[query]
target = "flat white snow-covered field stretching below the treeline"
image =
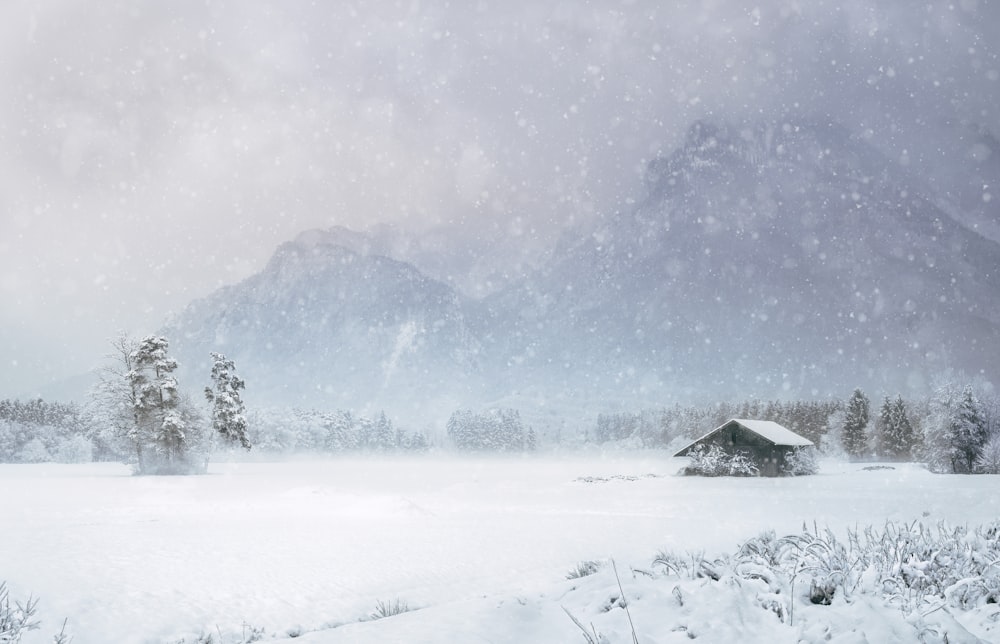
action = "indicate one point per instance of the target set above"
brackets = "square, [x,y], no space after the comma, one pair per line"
[477,548]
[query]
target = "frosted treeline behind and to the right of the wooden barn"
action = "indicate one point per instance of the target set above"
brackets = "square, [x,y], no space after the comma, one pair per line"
[954,430]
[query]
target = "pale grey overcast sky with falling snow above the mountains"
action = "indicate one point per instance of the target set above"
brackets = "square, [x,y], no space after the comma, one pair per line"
[153,151]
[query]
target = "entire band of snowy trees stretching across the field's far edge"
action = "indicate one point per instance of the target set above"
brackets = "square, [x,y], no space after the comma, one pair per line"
[956,429]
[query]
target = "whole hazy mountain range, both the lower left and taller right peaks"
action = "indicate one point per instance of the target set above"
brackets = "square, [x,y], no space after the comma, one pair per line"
[784,259]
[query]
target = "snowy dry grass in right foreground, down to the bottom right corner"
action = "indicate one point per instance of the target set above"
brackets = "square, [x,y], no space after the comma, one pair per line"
[934,576]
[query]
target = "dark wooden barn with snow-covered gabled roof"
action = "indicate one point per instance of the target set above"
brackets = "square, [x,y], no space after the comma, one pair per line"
[765,442]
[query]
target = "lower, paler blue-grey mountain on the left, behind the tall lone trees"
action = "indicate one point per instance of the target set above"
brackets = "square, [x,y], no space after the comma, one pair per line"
[328,323]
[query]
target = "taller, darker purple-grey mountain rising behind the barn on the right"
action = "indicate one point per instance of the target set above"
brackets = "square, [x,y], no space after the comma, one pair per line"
[790,259]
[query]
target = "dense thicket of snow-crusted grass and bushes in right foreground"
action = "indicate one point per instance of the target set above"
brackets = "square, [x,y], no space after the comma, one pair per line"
[910,566]
